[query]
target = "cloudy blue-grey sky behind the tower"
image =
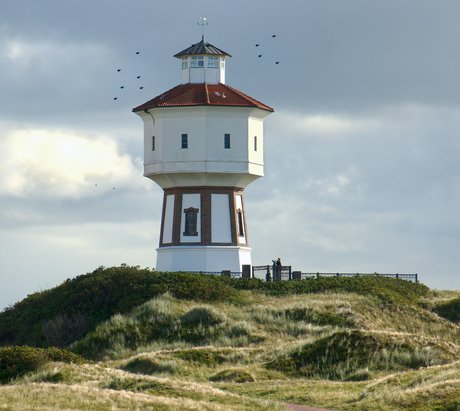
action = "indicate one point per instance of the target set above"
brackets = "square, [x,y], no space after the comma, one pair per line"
[362,152]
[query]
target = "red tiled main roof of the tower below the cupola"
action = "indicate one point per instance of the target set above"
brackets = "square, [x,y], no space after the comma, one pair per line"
[202,94]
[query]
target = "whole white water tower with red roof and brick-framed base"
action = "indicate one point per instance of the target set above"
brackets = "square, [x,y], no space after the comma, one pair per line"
[203,145]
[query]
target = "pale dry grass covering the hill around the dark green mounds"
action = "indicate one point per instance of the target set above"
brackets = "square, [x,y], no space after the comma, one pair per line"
[176,374]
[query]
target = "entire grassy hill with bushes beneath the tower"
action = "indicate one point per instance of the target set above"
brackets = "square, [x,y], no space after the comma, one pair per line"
[136,339]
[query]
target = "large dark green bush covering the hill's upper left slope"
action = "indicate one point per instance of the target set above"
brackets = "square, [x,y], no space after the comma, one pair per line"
[64,314]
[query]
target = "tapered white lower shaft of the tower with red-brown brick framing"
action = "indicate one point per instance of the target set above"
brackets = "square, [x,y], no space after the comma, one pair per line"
[203,229]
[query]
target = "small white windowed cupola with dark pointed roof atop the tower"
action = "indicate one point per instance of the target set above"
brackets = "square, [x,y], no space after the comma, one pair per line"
[203,63]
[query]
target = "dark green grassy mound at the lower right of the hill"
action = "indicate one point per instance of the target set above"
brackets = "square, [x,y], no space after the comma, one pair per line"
[344,355]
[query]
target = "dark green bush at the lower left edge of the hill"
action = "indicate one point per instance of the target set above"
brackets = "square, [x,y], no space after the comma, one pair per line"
[17,361]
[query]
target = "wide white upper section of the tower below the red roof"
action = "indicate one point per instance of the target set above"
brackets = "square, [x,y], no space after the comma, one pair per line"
[170,165]
